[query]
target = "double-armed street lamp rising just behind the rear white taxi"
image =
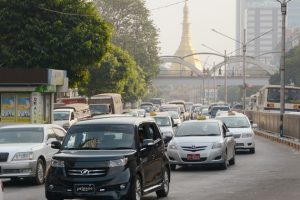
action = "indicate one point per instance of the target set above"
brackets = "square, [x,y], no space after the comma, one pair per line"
[244,47]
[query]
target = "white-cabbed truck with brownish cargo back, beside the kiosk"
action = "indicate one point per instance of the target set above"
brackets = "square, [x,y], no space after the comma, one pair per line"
[69,114]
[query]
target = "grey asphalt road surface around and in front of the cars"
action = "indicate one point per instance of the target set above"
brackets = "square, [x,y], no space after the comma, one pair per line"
[273,173]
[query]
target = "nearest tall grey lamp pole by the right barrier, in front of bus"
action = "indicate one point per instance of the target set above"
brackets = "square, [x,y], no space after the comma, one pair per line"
[283,4]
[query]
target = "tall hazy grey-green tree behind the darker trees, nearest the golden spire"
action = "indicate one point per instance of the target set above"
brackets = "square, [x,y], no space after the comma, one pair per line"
[134,31]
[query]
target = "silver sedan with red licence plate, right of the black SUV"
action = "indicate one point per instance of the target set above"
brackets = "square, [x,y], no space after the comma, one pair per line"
[199,142]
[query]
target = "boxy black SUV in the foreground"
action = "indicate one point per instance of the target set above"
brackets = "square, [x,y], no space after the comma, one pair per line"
[114,157]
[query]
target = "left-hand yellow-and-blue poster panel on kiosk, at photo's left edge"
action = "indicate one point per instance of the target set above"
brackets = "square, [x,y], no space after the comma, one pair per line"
[8,108]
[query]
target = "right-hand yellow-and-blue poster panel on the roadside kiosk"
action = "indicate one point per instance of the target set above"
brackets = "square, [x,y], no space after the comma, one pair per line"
[23,108]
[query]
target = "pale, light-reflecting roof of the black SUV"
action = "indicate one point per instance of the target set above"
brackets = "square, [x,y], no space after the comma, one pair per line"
[116,120]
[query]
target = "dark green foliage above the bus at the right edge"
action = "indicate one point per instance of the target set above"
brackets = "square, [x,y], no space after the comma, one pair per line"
[292,69]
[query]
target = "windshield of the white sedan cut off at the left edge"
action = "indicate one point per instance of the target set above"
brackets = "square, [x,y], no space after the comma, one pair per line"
[21,135]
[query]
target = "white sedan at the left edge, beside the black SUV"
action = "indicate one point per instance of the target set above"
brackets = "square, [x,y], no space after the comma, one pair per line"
[25,150]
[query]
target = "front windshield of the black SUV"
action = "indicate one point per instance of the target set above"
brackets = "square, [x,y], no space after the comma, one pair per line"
[100,137]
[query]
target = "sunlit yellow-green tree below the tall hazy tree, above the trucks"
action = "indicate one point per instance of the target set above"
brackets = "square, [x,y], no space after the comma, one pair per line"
[117,73]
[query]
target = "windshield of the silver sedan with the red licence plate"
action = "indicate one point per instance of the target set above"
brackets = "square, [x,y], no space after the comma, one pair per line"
[198,129]
